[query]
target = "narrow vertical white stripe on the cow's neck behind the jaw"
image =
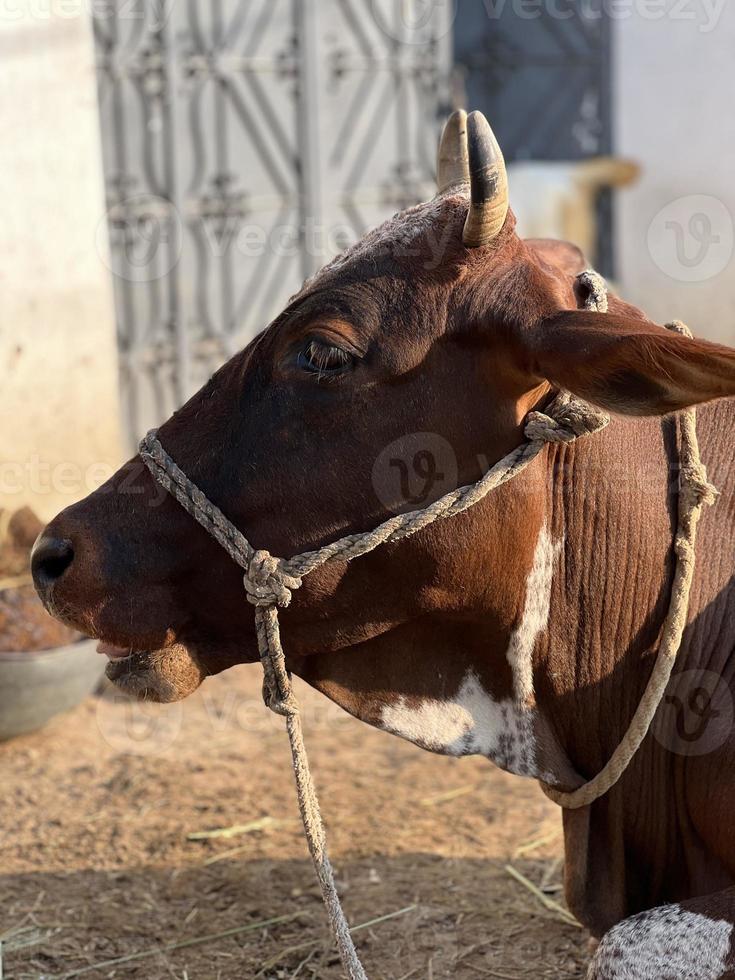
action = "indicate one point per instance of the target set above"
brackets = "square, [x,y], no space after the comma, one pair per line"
[535,617]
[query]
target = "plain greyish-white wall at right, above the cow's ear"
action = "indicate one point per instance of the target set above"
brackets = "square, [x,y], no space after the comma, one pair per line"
[674,89]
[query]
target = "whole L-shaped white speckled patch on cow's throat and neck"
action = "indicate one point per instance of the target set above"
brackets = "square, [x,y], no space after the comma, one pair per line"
[474,723]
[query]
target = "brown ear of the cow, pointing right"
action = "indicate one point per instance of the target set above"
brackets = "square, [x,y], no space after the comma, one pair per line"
[627,365]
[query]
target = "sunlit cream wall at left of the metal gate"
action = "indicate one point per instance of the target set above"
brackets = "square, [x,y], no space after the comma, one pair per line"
[59,412]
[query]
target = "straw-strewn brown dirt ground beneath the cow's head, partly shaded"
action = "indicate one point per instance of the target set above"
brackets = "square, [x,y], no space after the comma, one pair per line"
[97,863]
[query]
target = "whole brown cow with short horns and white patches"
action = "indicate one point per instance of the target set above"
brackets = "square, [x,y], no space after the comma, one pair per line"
[523,630]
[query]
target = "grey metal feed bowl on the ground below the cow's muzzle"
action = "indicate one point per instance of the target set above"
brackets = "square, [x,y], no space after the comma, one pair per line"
[36,686]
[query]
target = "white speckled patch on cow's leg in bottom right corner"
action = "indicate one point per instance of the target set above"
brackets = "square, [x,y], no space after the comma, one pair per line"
[668,941]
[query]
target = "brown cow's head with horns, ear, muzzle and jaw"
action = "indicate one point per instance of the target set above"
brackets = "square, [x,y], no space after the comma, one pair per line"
[405,367]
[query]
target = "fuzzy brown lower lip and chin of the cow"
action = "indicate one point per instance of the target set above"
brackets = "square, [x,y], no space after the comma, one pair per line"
[164,675]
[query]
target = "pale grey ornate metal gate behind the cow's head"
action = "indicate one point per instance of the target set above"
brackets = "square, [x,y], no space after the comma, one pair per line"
[245,142]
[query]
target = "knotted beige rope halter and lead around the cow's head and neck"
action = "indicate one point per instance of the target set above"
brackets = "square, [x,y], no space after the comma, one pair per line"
[269,583]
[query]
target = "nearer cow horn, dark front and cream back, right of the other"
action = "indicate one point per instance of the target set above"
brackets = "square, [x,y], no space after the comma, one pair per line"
[488,183]
